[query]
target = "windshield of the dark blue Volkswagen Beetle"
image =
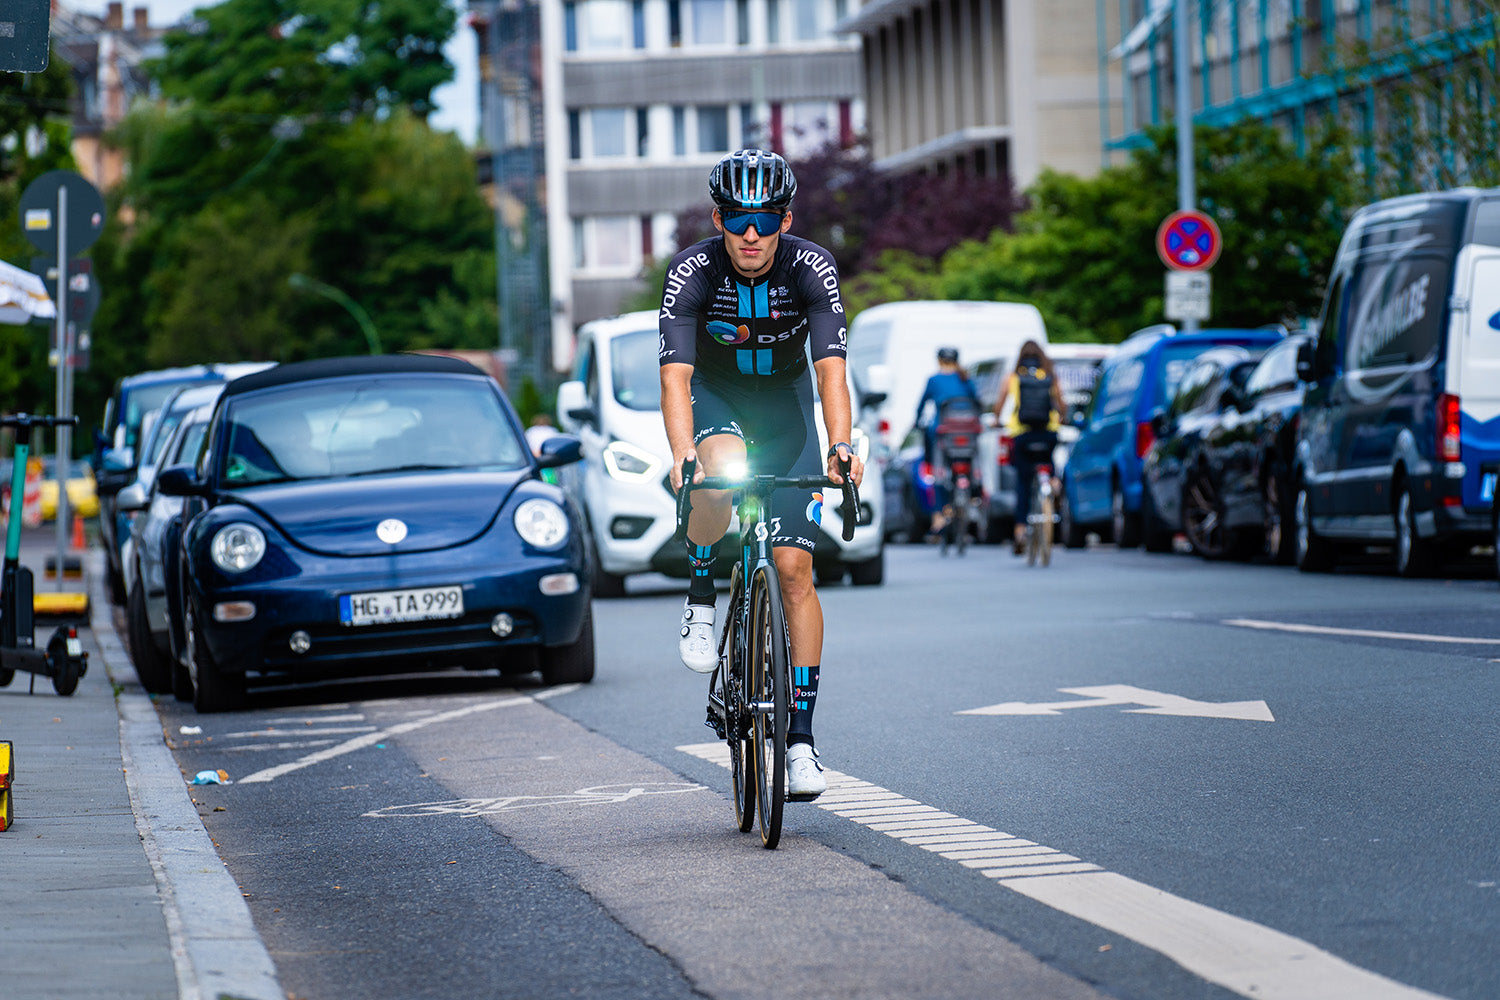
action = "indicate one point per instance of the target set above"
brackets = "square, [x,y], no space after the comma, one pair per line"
[368,427]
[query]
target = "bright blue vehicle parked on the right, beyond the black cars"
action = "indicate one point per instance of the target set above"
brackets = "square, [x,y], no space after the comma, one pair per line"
[1102,484]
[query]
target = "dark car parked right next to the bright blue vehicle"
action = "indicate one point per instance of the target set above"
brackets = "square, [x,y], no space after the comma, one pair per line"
[1183,482]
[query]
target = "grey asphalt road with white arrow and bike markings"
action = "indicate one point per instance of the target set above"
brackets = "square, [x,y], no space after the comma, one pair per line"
[1126,776]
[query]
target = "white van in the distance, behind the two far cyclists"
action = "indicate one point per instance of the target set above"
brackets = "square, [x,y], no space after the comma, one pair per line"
[893,350]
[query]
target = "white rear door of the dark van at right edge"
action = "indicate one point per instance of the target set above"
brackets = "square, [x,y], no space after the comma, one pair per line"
[1474,368]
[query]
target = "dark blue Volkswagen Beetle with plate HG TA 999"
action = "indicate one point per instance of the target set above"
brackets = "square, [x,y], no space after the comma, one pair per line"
[362,515]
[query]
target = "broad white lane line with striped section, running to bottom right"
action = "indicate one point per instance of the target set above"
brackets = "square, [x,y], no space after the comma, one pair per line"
[1229,951]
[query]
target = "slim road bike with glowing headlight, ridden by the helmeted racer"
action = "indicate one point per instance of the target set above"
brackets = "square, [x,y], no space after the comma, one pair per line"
[751,690]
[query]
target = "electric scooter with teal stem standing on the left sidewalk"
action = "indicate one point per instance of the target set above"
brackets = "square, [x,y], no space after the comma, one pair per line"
[64,659]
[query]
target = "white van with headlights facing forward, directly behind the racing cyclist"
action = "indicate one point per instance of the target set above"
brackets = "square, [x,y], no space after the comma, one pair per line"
[614,406]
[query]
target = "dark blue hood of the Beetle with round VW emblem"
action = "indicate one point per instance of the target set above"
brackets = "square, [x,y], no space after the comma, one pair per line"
[341,516]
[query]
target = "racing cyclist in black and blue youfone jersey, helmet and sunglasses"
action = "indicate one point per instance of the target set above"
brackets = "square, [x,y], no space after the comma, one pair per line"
[739,316]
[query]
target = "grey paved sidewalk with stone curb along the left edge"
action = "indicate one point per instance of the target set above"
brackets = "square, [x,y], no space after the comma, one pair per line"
[110,885]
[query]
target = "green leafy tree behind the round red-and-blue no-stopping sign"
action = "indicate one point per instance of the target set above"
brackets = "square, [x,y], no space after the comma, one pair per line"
[1084,253]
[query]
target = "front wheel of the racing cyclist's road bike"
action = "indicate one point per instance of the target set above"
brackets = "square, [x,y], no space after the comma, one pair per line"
[770,696]
